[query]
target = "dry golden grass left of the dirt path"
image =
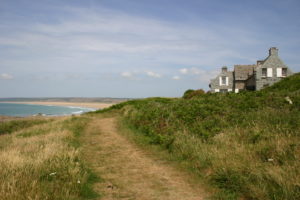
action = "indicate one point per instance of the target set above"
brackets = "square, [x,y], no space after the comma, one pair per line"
[41,162]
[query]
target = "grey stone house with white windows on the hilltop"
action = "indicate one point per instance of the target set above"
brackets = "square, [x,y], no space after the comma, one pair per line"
[251,77]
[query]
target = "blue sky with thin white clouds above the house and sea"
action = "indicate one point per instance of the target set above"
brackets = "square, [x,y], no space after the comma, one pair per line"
[137,48]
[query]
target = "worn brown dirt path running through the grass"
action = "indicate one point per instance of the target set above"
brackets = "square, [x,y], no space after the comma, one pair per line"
[128,172]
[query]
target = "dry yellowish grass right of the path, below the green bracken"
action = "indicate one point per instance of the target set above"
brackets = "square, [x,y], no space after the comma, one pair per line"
[259,171]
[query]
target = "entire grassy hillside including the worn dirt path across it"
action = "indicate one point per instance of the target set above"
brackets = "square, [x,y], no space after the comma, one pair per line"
[227,146]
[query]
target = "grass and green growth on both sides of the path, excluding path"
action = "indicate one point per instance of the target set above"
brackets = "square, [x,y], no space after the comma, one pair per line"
[245,146]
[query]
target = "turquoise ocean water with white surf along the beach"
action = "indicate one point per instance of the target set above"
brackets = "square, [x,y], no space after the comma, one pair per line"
[22,110]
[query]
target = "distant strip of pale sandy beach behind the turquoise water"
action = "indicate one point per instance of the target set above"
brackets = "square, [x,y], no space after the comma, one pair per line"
[75,104]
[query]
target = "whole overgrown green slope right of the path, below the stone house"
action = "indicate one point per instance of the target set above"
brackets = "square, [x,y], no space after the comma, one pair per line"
[245,144]
